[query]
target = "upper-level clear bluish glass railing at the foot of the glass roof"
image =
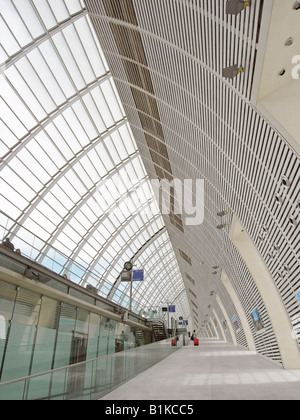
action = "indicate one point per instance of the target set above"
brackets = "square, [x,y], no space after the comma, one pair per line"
[39,251]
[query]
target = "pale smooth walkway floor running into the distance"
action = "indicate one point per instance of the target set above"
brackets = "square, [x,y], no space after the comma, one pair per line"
[214,371]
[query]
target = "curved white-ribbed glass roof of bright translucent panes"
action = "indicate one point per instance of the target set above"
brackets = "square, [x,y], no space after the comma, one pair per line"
[70,170]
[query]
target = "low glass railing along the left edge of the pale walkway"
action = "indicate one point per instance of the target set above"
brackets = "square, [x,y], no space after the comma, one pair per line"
[89,380]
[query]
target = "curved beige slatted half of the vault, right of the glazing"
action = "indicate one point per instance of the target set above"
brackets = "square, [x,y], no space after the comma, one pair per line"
[190,122]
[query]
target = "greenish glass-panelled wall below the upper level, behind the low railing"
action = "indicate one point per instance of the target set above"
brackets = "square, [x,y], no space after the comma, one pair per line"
[38,334]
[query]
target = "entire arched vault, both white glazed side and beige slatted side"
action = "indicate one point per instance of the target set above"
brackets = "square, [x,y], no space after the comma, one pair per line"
[100,97]
